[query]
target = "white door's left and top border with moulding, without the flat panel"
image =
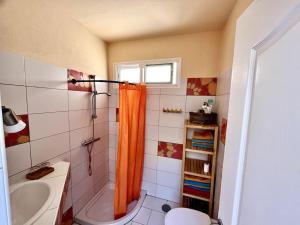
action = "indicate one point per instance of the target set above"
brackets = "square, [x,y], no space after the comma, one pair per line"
[250,41]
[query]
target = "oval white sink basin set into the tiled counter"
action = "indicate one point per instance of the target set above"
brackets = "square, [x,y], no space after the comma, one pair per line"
[29,200]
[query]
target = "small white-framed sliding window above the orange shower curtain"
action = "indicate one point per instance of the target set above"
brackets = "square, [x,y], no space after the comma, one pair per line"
[155,73]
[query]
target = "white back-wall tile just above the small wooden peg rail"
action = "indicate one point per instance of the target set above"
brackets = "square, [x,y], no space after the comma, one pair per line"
[172,102]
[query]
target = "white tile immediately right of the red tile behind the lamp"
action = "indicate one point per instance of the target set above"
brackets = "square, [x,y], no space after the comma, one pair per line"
[47,124]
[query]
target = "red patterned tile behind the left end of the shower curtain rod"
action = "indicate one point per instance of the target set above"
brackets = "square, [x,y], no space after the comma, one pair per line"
[86,86]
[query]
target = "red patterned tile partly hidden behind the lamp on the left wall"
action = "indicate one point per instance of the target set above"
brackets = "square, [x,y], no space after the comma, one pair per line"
[20,137]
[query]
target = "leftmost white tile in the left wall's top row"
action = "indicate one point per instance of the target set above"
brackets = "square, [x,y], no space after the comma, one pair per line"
[12,69]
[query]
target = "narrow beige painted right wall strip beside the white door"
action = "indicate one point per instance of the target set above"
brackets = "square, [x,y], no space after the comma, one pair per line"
[228,36]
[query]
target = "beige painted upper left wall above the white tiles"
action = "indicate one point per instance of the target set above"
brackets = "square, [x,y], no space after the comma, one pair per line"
[38,29]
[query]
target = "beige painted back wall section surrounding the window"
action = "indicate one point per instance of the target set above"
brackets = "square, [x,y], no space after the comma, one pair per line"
[199,52]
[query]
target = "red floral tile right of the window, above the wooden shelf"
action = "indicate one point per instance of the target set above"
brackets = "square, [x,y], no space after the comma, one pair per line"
[202,86]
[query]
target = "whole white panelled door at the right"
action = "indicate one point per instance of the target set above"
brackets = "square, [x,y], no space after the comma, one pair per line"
[261,176]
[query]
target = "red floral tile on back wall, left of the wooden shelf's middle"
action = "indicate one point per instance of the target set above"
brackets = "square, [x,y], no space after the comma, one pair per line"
[170,150]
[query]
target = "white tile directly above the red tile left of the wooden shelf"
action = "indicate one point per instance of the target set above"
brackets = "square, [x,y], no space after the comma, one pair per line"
[171,134]
